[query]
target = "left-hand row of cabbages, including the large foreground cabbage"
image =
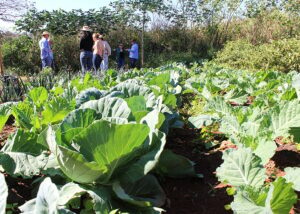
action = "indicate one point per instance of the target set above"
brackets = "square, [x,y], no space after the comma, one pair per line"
[103,150]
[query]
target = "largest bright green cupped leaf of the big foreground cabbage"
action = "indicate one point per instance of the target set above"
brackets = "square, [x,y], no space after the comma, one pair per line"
[100,154]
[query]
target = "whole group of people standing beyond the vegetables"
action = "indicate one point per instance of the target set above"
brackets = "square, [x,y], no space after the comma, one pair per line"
[94,52]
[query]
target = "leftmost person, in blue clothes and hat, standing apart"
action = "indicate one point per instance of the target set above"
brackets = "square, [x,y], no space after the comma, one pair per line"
[45,50]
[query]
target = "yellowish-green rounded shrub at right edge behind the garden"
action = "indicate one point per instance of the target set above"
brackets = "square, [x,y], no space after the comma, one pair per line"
[281,55]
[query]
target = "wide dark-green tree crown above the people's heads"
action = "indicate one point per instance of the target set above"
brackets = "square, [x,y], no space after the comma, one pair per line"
[61,22]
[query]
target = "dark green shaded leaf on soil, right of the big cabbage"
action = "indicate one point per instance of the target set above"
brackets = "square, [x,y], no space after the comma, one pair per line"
[175,166]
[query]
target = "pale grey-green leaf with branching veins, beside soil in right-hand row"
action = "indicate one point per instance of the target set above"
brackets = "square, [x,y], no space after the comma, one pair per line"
[241,168]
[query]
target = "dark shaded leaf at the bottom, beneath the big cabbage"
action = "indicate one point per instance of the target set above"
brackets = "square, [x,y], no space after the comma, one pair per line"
[144,192]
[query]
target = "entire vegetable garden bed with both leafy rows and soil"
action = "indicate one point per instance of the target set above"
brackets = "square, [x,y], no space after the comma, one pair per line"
[174,139]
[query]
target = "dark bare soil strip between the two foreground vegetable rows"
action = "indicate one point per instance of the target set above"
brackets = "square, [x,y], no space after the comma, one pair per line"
[194,195]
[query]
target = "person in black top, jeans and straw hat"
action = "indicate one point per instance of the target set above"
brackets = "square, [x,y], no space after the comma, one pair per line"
[86,49]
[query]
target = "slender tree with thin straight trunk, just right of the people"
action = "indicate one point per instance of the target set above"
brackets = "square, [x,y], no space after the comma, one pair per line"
[139,11]
